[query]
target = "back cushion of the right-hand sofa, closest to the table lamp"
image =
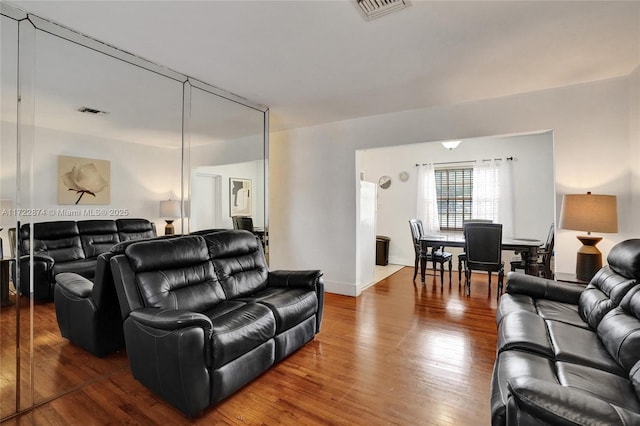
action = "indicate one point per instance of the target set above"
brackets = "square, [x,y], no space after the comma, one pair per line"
[604,292]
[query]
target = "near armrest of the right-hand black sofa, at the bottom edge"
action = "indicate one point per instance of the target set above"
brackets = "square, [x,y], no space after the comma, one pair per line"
[551,403]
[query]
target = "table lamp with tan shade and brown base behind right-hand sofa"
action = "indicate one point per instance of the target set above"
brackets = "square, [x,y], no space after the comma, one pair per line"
[591,213]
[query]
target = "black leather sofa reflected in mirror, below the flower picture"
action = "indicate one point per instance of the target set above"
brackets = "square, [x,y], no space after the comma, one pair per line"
[71,246]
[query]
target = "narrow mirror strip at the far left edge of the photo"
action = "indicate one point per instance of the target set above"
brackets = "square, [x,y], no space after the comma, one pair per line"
[8,173]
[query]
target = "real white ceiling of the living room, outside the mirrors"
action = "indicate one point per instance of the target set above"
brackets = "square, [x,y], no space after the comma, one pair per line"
[314,62]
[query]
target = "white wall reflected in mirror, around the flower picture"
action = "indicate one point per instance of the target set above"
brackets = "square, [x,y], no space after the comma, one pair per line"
[141,176]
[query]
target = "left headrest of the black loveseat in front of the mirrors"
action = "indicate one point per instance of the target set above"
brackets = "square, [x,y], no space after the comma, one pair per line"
[168,253]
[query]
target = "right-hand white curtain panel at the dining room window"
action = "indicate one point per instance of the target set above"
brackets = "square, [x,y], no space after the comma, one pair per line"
[492,194]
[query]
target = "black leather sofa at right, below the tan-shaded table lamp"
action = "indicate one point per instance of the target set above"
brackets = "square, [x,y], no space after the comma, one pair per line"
[569,354]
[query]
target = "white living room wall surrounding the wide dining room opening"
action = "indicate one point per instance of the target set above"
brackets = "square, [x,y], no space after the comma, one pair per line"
[313,170]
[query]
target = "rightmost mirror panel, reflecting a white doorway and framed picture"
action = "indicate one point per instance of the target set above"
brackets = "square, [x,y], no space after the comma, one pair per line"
[227,161]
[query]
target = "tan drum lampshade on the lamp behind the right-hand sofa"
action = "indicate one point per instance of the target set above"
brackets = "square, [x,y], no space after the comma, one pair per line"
[589,212]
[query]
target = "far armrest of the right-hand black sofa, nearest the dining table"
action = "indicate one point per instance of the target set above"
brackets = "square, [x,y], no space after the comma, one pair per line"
[542,288]
